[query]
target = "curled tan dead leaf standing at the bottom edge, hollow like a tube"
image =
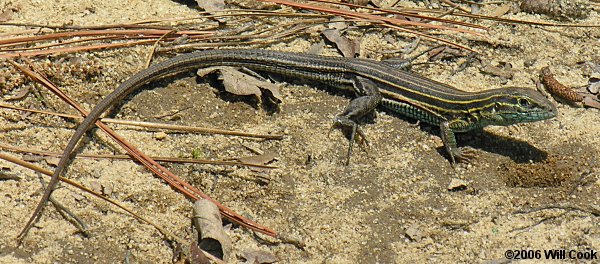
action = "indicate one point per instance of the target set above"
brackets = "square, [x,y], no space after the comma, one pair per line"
[211,234]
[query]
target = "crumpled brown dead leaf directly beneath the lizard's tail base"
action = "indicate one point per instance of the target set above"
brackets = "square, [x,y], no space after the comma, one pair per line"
[240,83]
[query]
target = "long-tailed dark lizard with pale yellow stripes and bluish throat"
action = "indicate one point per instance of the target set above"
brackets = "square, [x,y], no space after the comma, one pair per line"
[375,83]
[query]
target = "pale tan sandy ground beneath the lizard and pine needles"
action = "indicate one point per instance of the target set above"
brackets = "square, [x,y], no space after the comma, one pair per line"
[391,205]
